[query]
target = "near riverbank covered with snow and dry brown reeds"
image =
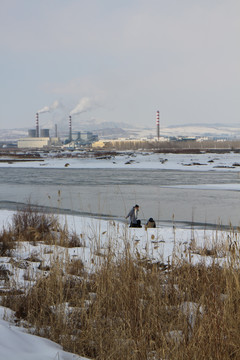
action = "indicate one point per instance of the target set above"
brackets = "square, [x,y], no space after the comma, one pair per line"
[95,286]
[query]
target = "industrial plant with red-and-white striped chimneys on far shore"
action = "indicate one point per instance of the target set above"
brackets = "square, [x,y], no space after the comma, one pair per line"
[133,139]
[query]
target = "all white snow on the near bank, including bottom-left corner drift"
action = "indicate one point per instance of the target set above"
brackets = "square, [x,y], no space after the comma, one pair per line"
[162,244]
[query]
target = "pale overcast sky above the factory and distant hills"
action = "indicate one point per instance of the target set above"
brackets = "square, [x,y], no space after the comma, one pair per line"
[120,60]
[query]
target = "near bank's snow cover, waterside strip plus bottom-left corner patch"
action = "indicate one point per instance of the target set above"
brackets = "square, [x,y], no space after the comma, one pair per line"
[29,260]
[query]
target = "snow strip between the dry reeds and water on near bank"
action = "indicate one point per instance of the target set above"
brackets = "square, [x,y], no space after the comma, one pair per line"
[159,245]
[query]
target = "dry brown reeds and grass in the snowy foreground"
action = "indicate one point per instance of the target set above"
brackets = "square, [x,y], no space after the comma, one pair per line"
[127,309]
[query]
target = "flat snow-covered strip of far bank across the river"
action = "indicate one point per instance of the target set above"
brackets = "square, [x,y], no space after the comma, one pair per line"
[138,160]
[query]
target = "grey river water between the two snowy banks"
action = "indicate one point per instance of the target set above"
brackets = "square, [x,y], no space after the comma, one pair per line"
[166,195]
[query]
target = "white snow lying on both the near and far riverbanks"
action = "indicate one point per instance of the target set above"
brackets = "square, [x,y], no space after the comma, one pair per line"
[163,244]
